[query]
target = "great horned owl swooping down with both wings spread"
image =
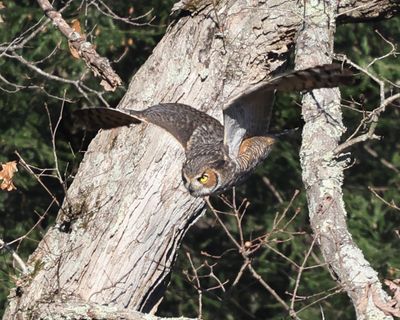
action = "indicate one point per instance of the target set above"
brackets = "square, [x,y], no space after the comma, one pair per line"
[220,156]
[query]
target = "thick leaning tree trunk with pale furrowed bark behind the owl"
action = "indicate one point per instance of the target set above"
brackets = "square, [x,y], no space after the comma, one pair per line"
[126,212]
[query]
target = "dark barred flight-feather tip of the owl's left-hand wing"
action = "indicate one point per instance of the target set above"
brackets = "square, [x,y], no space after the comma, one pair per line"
[93,119]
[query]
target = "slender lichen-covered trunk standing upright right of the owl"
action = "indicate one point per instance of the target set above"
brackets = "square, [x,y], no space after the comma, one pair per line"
[323,172]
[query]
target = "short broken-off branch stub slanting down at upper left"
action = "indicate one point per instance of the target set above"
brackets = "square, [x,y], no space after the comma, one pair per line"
[100,66]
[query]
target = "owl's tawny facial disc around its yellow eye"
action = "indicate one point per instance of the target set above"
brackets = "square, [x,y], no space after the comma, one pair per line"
[203,184]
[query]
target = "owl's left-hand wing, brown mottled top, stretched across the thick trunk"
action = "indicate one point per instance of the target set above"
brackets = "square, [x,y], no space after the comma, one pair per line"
[180,120]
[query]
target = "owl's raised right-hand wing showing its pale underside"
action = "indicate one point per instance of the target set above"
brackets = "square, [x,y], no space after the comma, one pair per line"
[248,114]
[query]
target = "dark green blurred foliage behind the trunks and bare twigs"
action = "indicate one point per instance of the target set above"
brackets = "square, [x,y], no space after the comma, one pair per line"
[24,127]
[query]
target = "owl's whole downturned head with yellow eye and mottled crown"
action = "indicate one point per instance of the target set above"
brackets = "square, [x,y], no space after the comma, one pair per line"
[203,180]
